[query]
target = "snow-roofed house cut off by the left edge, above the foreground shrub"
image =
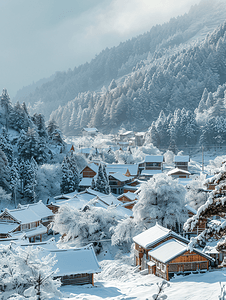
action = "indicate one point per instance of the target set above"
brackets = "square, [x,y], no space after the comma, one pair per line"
[22,220]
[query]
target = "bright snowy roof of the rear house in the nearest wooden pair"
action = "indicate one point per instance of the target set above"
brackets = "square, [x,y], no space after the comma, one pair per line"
[155,234]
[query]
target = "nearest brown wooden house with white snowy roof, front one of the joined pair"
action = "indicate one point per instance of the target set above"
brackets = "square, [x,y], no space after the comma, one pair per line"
[173,257]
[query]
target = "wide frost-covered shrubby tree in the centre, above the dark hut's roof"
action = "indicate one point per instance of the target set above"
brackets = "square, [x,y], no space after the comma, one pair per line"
[80,227]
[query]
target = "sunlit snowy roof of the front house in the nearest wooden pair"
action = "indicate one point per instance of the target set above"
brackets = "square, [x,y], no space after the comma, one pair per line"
[170,249]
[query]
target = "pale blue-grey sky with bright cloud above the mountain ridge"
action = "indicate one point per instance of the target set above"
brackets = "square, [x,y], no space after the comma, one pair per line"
[40,37]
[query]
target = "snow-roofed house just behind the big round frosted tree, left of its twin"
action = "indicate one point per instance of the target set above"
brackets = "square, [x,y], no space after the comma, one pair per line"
[151,162]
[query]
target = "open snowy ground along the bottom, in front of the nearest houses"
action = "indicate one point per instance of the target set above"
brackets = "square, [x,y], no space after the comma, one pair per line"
[119,281]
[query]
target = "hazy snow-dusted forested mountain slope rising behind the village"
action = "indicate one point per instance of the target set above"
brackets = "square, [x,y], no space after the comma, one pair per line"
[127,86]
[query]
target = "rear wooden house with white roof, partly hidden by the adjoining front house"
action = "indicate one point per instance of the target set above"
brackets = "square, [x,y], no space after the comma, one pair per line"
[151,238]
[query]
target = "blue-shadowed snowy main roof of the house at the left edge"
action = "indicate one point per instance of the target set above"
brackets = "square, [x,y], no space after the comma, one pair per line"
[23,215]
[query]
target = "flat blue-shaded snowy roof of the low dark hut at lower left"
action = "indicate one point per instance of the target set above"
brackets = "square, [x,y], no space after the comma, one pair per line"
[76,261]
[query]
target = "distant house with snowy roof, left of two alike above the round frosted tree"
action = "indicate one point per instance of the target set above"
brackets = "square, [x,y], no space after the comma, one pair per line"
[152,164]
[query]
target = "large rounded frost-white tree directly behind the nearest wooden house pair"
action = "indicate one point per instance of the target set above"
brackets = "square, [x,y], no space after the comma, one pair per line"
[161,199]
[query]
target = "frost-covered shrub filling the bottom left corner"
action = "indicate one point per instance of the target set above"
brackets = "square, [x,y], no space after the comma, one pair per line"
[26,272]
